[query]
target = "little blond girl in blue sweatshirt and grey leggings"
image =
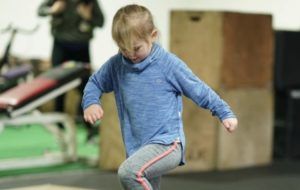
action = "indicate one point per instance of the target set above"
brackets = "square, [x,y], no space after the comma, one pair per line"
[148,83]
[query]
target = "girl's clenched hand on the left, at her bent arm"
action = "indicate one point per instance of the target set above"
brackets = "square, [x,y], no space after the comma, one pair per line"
[93,113]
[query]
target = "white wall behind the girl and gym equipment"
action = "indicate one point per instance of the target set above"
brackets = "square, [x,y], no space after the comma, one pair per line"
[23,13]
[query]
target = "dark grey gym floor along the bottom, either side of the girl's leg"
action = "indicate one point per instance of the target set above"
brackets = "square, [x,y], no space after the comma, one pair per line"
[284,175]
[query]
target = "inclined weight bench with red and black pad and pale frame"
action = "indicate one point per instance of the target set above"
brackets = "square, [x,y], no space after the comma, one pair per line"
[18,107]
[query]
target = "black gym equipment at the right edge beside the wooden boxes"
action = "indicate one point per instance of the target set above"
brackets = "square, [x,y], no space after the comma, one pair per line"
[287,95]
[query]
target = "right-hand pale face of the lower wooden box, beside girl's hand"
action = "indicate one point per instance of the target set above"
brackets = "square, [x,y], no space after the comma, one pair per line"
[251,144]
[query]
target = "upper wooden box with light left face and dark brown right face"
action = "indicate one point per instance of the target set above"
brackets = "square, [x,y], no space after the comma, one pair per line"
[228,50]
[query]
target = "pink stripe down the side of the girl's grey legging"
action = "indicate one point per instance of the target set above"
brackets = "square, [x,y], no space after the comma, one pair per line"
[140,172]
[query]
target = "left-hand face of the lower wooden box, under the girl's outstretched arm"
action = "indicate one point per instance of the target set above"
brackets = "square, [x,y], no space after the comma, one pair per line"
[200,130]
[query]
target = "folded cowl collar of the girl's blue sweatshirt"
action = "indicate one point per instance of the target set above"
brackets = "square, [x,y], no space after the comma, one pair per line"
[138,67]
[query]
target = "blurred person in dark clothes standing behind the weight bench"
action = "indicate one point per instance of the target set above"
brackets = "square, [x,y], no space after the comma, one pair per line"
[72,25]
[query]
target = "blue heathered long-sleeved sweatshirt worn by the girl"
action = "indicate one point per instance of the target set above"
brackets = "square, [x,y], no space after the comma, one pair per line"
[149,97]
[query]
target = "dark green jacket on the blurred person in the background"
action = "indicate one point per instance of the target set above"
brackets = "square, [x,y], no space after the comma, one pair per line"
[69,25]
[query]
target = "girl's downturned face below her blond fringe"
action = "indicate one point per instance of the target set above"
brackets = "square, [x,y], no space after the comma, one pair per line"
[141,49]
